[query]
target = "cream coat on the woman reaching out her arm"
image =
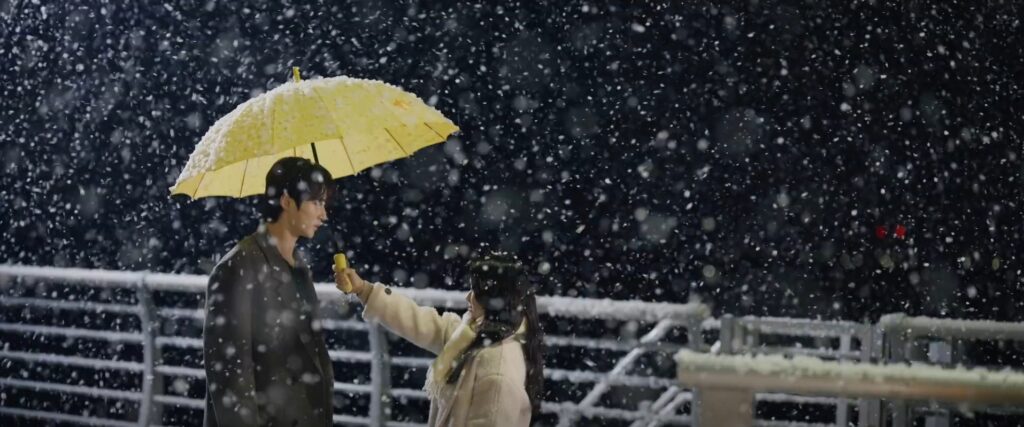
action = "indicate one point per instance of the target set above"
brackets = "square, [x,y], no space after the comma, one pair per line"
[492,390]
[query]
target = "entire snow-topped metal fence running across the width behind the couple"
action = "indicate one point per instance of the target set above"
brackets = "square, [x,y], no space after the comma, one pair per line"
[613,377]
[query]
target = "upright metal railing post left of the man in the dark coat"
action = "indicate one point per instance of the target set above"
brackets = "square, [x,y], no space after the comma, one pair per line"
[149,413]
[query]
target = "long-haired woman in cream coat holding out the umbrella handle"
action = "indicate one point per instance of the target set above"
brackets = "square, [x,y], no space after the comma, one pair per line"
[490,366]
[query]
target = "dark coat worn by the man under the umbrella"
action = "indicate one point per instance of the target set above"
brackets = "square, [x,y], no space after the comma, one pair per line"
[267,363]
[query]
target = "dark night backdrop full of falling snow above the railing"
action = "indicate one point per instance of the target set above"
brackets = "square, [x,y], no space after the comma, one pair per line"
[743,153]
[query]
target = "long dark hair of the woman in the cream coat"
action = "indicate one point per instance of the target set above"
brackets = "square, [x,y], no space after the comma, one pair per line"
[501,285]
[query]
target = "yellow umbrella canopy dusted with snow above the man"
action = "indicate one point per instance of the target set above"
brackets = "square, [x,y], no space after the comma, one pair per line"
[345,124]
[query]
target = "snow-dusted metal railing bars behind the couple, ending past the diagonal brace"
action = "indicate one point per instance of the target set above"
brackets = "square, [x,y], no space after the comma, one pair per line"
[152,399]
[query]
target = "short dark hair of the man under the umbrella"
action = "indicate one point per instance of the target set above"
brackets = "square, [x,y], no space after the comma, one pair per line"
[300,179]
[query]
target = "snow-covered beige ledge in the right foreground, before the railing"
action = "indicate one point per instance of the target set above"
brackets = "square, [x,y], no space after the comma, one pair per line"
[726,385]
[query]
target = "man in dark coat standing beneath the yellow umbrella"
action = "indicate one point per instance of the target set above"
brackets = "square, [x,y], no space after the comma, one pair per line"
[267,362]
